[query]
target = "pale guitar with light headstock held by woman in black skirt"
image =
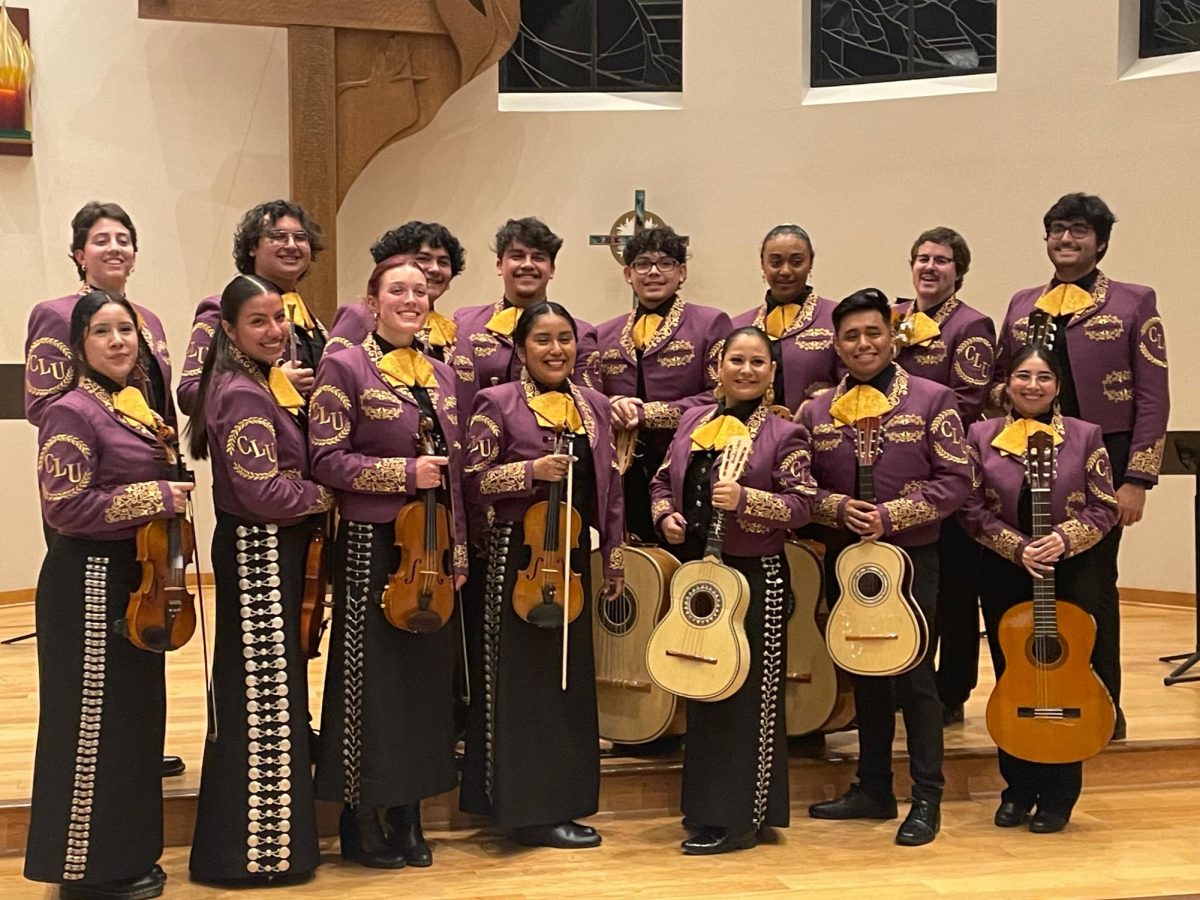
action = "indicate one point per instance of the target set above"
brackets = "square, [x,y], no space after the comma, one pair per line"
[700,650]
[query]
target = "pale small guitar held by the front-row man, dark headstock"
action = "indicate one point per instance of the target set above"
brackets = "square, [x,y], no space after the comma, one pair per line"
[875,628]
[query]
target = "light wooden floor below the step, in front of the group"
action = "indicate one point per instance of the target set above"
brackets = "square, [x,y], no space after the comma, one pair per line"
[1120,844]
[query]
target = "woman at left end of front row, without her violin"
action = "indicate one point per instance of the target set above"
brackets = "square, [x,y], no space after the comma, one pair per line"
[97,811]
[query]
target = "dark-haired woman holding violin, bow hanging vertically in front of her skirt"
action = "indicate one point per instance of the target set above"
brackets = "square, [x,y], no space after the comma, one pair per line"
[541,455]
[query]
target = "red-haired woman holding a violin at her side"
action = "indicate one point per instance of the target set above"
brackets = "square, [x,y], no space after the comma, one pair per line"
[385,437]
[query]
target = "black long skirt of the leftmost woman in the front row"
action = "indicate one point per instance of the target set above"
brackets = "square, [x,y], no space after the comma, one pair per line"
[97,812]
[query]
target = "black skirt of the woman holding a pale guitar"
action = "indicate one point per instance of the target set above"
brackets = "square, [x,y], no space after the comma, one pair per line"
[735,760]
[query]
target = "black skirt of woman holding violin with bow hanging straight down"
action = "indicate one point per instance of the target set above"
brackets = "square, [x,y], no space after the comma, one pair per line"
[533,751]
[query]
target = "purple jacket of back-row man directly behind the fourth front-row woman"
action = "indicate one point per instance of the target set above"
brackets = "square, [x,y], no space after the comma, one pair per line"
[481,356]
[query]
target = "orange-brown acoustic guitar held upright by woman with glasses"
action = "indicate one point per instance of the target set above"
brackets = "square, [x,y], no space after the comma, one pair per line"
[1049,706]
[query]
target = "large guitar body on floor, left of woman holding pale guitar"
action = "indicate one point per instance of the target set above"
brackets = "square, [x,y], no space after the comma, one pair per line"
[633,710]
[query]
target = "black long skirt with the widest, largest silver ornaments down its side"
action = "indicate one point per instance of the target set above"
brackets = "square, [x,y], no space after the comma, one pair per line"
[256,817]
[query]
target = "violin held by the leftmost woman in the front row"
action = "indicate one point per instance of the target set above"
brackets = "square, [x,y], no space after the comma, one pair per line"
[161,615]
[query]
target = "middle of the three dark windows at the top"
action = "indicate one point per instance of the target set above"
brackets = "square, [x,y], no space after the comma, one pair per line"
[862,41]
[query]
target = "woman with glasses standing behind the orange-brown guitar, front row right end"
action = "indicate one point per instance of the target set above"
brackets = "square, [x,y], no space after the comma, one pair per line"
[999,514]
